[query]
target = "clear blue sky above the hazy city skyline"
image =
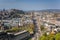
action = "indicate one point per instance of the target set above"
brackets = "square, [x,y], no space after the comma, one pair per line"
[30,4]
